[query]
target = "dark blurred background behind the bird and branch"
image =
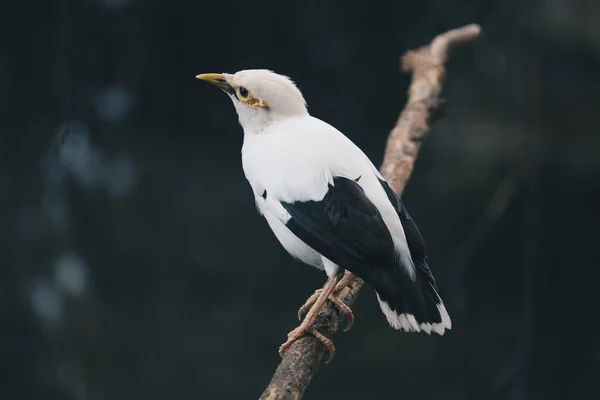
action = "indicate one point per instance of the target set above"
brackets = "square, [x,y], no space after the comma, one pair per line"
[133,264]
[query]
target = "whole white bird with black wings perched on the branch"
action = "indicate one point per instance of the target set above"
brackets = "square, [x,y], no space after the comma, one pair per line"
[329,206]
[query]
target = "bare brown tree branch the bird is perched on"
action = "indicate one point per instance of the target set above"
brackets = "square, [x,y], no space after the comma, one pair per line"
[300,363]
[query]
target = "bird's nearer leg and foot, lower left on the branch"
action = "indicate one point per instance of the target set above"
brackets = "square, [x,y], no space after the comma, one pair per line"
[307,325]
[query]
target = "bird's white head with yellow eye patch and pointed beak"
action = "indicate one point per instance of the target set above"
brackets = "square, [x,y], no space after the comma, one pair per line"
[260,96]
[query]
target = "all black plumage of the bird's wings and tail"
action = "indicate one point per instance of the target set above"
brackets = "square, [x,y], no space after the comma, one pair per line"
[347,228]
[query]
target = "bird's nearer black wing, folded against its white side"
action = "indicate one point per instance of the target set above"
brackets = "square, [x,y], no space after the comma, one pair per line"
[346,228]
